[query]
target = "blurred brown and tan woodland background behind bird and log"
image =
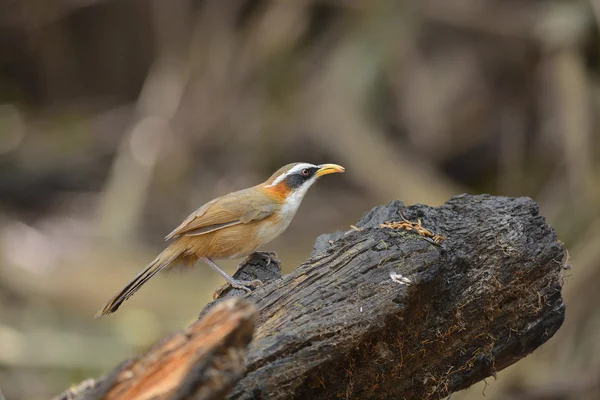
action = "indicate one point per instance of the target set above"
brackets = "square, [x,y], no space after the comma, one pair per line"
[120,117]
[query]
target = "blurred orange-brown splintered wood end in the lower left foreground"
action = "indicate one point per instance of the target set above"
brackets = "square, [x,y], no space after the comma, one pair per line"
[202,362]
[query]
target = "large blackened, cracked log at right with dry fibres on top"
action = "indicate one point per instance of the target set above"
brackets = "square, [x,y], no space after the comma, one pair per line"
[378,312]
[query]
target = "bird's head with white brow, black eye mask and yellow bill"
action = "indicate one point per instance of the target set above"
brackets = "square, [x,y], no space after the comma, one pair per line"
[291,182]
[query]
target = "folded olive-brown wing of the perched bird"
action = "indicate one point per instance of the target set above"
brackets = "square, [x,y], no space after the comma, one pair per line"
[232,209]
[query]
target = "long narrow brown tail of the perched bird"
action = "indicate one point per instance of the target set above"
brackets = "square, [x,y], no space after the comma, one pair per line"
[163,260]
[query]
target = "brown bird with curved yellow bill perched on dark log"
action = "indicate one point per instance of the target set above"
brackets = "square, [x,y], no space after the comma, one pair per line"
[231,226]
